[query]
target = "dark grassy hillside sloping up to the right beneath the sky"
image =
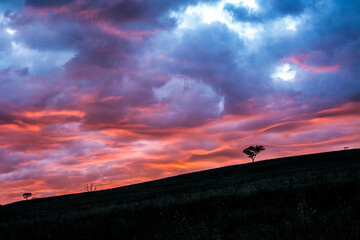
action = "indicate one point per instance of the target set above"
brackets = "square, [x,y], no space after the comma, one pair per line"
[313,196]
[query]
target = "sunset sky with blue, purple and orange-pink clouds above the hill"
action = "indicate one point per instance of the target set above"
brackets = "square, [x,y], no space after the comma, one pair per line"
[116,92]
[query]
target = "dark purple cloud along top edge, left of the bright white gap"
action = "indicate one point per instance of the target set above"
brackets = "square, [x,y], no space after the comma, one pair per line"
[152,13]
